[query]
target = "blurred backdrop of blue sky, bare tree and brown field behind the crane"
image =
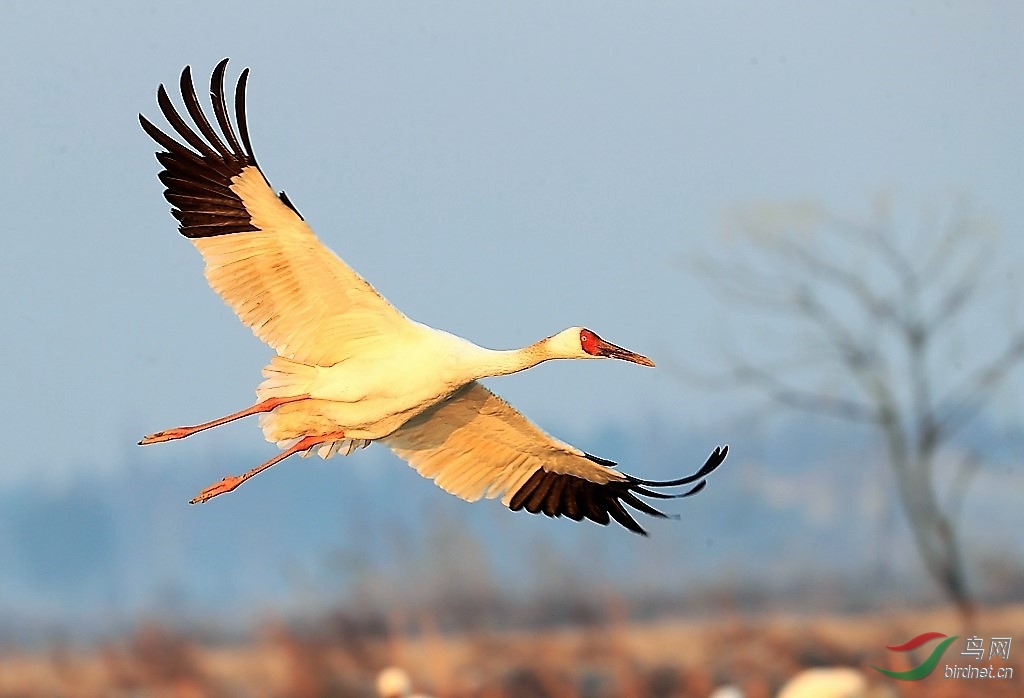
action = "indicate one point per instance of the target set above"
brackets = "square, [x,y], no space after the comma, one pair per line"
[809,215]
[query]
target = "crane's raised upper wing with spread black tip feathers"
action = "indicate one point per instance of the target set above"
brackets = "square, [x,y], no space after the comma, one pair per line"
[262,257]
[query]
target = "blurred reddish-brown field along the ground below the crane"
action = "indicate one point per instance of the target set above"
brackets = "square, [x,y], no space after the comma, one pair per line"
[605,660]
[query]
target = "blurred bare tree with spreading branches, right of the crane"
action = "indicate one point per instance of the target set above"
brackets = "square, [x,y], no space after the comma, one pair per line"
[874,323]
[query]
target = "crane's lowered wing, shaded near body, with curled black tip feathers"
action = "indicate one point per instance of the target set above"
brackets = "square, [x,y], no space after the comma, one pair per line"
[477,446]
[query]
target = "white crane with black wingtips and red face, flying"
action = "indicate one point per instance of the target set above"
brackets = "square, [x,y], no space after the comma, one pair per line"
[350,368]
